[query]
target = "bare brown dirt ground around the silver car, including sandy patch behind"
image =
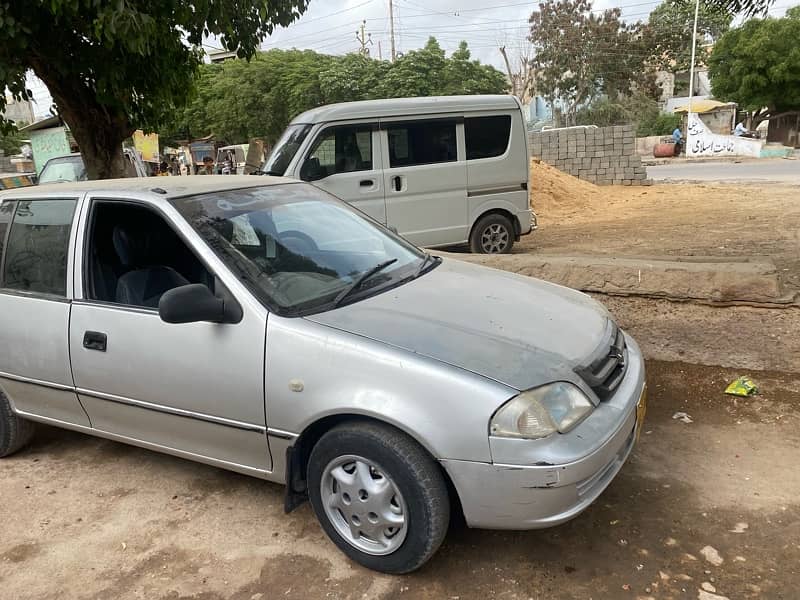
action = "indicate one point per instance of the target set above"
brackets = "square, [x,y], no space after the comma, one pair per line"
[710,504]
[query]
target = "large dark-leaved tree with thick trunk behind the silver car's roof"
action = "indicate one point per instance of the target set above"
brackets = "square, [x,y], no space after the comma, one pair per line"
[113,65]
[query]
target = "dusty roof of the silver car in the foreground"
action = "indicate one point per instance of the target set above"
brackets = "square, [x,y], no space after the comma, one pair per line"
[156,187]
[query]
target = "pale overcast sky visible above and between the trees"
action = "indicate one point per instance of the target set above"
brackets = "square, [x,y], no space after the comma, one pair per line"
[330,26]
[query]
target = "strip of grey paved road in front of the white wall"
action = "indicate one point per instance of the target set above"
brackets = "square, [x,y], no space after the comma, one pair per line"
[779,170]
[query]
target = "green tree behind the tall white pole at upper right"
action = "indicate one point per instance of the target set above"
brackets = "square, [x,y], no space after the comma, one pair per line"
[668,31]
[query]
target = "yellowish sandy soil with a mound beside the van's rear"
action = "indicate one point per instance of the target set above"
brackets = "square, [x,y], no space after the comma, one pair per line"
[577,217]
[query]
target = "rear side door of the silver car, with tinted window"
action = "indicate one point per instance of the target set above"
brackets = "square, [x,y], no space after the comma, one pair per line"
[35,240]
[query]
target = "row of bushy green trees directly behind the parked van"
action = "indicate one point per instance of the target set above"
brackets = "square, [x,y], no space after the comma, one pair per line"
[239,100]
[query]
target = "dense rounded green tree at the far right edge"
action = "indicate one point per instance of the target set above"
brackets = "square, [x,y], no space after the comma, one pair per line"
[757,65]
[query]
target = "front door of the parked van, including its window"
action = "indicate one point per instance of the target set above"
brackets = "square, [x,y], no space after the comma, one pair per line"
[345,160]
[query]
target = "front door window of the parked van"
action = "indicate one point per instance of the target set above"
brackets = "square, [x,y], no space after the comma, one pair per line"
[343,149]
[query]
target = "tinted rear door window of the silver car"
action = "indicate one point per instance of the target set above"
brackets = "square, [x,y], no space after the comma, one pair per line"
[36,254]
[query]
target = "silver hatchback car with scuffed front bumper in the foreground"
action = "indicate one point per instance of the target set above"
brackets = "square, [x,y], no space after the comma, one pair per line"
[263,326]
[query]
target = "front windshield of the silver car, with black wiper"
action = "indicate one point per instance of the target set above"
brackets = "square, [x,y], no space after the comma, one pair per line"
[299,249]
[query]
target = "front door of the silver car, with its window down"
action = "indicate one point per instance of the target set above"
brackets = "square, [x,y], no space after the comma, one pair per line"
[195,389]
